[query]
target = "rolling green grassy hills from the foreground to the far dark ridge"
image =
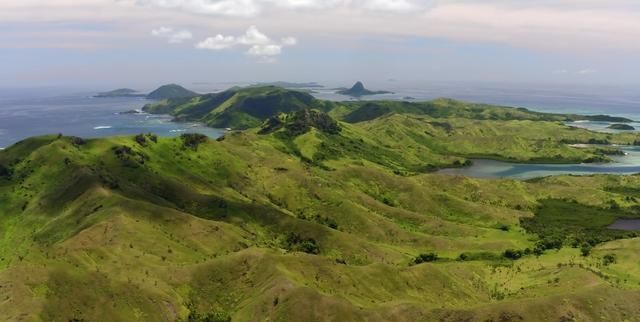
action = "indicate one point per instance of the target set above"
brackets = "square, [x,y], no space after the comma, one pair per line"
[308,218]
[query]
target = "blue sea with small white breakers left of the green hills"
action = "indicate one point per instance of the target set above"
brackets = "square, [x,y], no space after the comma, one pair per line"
[85,116]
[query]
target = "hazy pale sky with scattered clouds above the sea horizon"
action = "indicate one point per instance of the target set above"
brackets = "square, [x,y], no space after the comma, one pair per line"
[144,43]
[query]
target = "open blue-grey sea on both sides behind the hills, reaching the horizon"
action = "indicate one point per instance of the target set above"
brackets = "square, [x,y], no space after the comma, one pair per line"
[29,112]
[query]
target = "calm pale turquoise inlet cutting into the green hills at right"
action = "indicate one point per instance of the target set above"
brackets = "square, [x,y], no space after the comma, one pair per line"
[628,164]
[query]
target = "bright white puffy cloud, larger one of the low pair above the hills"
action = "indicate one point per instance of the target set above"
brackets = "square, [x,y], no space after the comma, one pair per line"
[260,45]
